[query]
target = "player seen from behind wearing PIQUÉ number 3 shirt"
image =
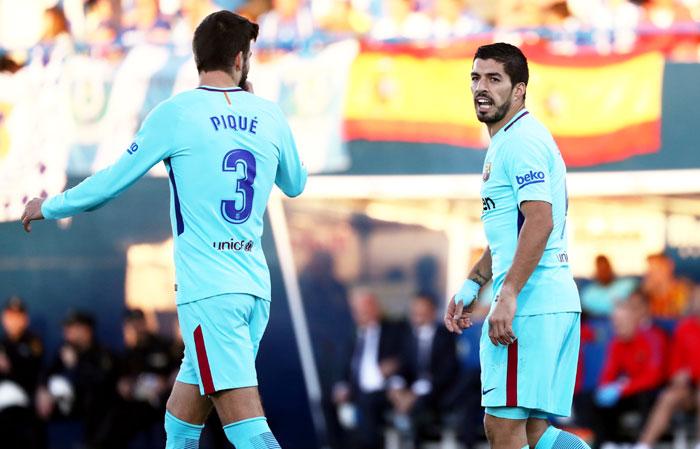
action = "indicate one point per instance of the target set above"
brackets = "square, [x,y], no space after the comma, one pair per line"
[223,148]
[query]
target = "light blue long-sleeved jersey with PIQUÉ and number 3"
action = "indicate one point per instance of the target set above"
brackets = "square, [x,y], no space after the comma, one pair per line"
[223,150]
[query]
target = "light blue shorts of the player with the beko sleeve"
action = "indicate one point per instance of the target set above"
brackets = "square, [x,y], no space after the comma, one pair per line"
[534,376]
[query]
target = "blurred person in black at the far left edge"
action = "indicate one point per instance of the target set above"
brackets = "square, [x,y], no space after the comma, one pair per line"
[20,350]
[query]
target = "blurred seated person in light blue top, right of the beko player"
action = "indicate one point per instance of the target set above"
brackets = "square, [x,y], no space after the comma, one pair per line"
[600,296]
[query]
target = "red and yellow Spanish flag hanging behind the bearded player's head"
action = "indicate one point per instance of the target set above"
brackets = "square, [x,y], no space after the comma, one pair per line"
[599,108]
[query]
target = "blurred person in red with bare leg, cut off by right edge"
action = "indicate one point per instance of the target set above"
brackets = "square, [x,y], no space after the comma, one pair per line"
[682,391]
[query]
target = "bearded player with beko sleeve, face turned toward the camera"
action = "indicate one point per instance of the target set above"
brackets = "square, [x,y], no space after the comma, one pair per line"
[530,341]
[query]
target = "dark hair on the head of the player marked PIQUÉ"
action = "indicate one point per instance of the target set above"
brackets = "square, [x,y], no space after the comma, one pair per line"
[219,38]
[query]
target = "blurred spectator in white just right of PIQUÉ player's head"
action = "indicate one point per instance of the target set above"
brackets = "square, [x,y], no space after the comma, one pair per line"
[289,25]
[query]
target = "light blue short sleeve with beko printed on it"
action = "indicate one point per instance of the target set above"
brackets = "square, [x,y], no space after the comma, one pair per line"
[528,167]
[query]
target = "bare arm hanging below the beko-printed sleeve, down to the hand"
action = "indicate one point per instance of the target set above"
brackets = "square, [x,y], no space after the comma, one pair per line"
[531,244]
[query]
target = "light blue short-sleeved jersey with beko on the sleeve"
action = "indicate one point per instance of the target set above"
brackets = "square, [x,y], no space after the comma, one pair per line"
[523,163]
